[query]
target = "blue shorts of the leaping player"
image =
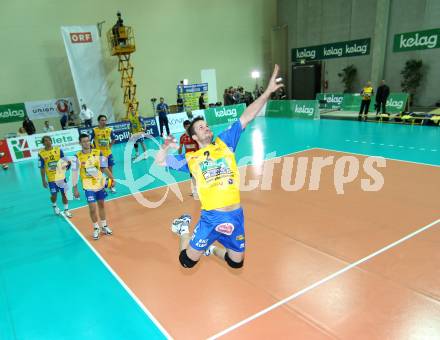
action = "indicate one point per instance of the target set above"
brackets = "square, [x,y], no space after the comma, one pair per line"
[225,227]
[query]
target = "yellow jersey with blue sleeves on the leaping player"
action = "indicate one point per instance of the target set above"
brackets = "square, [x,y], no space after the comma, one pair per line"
[214,169]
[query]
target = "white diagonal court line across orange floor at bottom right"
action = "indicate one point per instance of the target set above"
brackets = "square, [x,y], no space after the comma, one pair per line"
[322,281]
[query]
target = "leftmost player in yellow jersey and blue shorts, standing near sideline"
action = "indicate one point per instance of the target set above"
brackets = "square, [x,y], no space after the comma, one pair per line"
[53,166]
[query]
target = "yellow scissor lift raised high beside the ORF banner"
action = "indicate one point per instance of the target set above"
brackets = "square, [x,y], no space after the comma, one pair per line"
[121,44]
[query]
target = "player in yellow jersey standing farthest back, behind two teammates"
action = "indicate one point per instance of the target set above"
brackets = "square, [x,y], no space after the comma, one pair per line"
[103,139]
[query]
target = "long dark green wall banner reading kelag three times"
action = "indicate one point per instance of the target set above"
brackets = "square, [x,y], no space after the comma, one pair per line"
[342,49]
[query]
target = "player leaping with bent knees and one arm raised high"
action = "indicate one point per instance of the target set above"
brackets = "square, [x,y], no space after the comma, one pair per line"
[217,177]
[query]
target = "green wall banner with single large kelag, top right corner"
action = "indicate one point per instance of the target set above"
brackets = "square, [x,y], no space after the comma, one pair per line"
[420,40]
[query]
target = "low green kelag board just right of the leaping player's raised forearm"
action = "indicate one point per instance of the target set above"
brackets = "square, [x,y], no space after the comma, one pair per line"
[304,109]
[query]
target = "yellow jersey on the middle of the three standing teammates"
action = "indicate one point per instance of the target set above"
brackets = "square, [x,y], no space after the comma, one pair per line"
[89,165]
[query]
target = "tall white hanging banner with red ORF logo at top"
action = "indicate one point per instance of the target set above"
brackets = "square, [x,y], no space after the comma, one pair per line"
[84,51]
